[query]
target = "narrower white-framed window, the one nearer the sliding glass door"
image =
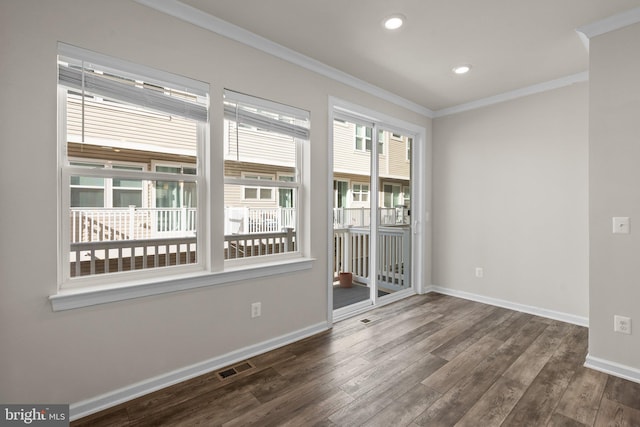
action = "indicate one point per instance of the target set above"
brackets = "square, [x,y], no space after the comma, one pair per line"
[262,175]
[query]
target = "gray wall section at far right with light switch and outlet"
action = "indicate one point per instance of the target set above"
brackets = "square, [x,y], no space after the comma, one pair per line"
[614,190]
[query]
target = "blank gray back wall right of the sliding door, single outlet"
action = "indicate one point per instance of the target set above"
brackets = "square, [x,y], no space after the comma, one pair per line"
[510,196]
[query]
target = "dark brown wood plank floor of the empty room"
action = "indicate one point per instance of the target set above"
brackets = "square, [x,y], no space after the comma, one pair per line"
[429,360]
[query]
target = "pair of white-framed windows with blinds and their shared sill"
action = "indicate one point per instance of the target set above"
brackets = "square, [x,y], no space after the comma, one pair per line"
[134,151]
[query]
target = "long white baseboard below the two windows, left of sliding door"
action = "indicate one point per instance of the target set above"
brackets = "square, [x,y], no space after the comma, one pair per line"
[116,397]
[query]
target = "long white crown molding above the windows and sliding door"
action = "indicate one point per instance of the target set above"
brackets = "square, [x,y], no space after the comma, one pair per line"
[223,28]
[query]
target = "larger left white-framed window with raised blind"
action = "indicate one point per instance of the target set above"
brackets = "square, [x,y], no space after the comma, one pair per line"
[115,117]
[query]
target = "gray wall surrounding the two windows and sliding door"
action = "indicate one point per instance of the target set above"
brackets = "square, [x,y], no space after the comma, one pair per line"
[78,354]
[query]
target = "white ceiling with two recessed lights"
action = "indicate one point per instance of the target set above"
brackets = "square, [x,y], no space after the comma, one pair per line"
[511,44]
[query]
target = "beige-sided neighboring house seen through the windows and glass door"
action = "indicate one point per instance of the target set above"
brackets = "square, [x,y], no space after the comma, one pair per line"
[165,143]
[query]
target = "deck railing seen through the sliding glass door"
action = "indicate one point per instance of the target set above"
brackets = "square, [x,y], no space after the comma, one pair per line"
[351,253]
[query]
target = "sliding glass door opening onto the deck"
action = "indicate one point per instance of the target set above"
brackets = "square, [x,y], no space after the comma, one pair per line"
[371,212]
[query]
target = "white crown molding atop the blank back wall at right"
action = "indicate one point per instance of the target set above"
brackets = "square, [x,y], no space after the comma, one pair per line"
[514,94]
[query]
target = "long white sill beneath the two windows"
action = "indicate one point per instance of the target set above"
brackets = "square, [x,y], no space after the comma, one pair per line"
[76,298]
